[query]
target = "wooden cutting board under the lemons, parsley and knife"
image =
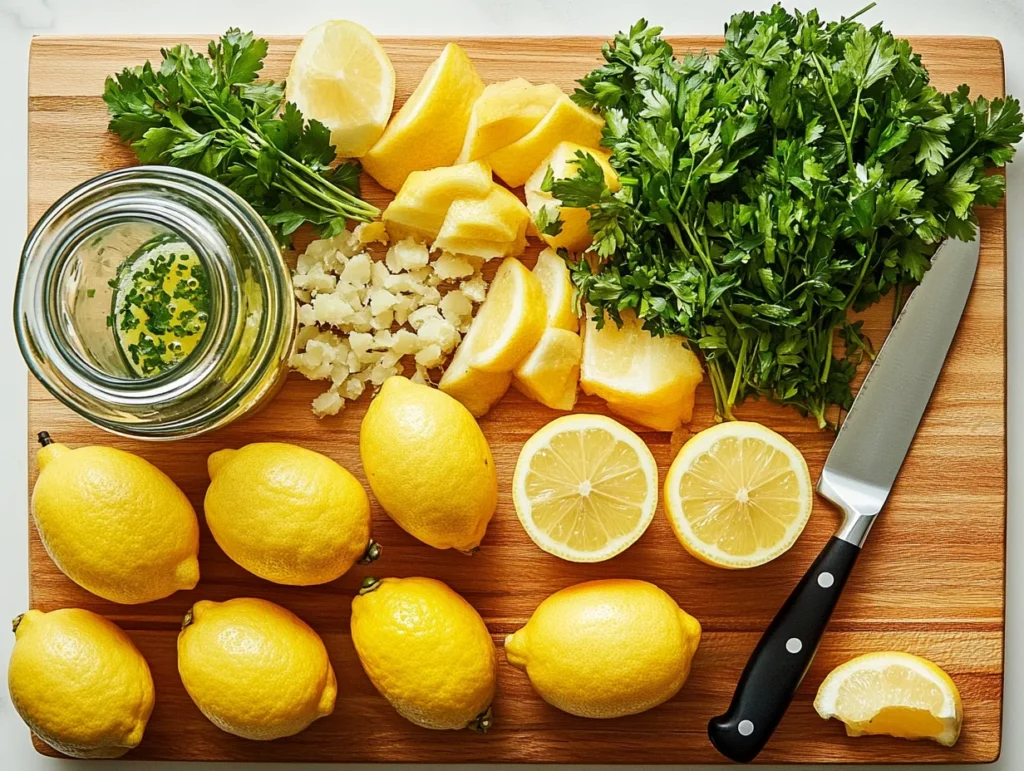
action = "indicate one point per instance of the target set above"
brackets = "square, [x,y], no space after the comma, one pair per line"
[931,581]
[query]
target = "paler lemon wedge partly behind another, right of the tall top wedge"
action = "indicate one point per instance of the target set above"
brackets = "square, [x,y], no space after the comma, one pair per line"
[504,113]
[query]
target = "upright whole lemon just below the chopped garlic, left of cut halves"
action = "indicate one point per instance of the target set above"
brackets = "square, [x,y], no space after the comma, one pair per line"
[430,465]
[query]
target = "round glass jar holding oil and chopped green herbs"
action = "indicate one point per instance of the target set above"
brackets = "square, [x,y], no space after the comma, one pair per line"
[155,303]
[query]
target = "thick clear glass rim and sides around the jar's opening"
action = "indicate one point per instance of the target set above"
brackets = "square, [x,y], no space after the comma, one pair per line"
[147,194]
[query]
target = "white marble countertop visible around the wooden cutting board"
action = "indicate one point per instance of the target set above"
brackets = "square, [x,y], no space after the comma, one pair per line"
[20,20]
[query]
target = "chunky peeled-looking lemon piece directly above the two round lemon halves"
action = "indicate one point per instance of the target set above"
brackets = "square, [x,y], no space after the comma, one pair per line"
[651,380]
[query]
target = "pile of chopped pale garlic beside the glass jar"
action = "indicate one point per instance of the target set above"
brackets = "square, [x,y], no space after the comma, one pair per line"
[360,317]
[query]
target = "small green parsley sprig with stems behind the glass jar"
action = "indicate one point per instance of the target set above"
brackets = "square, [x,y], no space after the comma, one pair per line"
[211,116]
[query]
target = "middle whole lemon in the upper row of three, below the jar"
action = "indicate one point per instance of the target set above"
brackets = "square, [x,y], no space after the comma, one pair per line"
[288,515]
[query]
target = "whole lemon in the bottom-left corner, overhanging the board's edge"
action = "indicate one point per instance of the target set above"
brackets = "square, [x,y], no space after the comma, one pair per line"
[79,683]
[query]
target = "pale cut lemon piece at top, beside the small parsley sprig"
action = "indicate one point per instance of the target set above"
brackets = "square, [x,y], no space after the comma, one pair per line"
[344,78]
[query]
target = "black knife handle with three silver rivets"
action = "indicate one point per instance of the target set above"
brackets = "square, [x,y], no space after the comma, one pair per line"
[783,657]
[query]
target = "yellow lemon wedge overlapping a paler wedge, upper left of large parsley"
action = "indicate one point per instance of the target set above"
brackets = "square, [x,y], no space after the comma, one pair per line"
[566,121]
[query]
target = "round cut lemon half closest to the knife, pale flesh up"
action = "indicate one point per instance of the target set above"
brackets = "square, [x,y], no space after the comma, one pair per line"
[738,495]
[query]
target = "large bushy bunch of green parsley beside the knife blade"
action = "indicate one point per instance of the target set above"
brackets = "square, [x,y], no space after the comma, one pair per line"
[803,172]
